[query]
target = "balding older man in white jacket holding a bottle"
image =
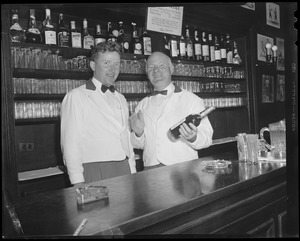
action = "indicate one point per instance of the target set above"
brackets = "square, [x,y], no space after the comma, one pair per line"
[163,108]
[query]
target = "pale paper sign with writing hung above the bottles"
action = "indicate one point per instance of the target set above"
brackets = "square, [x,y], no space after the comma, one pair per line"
[166,20]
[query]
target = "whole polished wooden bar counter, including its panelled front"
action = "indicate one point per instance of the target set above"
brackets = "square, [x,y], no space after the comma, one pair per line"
[186,198]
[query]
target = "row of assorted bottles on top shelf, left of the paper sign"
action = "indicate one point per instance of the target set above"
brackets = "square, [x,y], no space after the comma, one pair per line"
[63,37]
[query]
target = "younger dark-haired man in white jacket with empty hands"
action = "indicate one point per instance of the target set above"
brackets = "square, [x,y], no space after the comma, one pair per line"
[95,134]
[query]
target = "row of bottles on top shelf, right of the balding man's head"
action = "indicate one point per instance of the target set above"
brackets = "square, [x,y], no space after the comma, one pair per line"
[202,47]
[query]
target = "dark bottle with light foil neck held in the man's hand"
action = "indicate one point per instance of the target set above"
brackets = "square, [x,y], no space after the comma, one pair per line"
[174,133]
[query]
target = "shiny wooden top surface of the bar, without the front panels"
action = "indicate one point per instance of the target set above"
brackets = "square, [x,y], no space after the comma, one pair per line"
[141,199]
